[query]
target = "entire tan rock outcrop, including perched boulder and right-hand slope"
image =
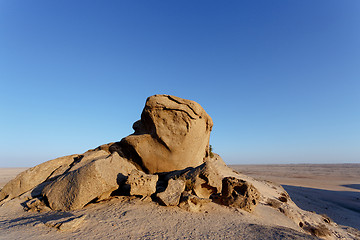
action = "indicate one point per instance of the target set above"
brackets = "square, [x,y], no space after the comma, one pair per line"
[167,160]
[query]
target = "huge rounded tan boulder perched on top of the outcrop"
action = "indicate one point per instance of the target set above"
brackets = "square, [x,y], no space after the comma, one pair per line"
[173,134]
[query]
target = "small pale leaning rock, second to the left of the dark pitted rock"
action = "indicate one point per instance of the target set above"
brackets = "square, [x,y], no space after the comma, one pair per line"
[171,196]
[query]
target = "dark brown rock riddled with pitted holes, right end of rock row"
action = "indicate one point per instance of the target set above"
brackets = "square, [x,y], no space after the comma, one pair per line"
[238,193]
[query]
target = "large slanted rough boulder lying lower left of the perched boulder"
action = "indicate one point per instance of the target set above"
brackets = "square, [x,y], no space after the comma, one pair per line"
[79,187]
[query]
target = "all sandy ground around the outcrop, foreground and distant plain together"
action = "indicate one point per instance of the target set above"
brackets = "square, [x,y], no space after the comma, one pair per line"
[327,189]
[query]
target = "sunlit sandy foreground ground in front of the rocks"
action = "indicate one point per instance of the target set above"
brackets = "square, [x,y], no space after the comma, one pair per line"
[147,220]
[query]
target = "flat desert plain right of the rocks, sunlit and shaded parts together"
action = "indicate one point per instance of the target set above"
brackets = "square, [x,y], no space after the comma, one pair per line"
[331,189]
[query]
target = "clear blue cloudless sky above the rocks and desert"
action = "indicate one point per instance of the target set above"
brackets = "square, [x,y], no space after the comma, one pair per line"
[281,79]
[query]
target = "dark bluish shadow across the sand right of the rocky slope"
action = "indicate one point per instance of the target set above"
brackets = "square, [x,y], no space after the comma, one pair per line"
[341,206]
